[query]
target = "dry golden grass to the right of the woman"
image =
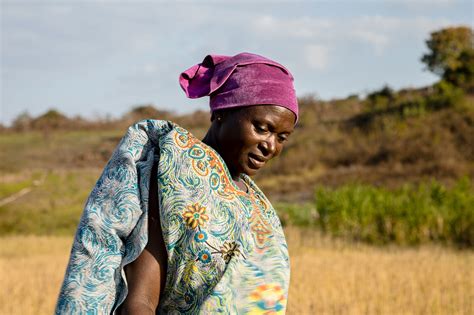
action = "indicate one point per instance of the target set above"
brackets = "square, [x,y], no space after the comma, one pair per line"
[331,277]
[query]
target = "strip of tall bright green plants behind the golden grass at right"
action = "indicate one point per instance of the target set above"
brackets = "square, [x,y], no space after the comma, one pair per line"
[408,215]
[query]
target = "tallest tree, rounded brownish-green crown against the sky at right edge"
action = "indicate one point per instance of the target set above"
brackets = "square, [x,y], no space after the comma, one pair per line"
[451,55]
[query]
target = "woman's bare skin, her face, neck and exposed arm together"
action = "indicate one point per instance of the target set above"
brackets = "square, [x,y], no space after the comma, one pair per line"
[246,138]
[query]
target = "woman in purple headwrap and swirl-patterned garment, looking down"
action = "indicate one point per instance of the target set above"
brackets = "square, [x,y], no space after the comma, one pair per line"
[181,216]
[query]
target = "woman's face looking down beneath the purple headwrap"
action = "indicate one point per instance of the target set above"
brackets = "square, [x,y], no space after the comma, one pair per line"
[250,136]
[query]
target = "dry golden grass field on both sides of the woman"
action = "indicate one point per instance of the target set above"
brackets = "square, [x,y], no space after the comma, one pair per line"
[328,277]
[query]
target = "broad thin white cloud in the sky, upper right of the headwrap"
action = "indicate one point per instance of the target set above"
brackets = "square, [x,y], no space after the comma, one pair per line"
[378,31]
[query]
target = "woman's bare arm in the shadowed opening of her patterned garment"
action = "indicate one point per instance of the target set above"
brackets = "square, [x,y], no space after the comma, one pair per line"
[146,276]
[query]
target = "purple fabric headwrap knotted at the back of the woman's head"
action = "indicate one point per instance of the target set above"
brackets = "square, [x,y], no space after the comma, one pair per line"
[242,80]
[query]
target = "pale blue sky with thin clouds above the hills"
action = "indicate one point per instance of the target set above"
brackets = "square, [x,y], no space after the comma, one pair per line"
[98,58]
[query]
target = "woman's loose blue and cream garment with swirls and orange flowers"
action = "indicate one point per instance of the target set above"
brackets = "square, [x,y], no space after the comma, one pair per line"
[226,248]
